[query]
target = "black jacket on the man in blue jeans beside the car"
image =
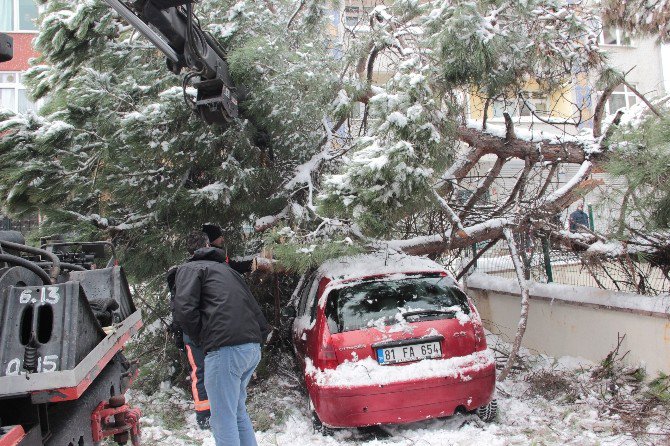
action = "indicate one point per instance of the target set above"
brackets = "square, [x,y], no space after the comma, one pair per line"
[213,304]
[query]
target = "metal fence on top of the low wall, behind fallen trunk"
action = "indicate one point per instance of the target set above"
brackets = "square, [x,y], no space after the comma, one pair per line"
[545,263]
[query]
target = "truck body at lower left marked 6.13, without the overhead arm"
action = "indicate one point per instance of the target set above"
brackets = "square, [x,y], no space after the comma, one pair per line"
[64,323]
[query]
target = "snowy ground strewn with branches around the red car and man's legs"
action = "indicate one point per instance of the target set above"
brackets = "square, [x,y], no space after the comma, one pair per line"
[551,402]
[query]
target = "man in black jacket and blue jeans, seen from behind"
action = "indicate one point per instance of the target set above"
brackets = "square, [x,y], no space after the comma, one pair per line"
[215,308]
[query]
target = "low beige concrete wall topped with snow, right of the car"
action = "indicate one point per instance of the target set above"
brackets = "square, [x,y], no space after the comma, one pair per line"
[577,321]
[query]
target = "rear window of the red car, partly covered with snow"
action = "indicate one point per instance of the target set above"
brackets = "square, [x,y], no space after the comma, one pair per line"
[383,302]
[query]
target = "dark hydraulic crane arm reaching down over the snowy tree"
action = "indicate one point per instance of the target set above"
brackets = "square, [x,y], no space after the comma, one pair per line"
[170,26]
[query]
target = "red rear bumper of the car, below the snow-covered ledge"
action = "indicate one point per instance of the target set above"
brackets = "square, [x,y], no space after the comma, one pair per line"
[402,402]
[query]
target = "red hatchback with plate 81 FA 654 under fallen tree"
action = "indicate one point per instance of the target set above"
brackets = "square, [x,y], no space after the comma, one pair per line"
[389,338]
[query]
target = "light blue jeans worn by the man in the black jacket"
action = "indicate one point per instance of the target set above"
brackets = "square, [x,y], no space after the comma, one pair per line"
[229,370]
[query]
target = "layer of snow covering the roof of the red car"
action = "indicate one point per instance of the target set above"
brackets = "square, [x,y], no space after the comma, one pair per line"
[377,263]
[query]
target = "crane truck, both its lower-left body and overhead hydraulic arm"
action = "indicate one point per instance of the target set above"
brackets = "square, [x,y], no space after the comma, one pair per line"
[64,321]
